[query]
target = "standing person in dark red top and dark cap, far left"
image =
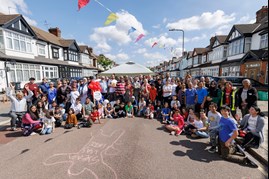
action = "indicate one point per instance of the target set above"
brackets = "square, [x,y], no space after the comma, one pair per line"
[34,88]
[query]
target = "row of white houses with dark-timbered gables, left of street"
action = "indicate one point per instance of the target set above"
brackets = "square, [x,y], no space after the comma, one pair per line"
[27,51]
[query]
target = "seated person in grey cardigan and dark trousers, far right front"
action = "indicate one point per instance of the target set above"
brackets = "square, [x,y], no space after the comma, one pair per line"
[251,128]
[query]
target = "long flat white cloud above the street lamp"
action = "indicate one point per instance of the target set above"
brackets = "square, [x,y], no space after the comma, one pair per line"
[207,20]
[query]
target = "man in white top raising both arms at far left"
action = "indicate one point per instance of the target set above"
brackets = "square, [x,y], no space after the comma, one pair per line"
[18,104]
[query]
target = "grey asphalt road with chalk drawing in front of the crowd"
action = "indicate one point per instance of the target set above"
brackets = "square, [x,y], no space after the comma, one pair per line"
[117,149]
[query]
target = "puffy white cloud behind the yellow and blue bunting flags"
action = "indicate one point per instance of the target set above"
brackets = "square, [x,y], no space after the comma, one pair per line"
[118,33]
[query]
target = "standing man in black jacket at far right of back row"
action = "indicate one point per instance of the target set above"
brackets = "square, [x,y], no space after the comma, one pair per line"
[246,97]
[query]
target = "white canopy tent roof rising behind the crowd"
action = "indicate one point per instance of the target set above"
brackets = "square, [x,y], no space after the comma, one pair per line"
[129,68]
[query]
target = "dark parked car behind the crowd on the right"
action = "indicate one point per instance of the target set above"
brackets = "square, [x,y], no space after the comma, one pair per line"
[237,82]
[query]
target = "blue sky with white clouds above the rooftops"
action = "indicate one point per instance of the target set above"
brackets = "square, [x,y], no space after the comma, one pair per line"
[200,20]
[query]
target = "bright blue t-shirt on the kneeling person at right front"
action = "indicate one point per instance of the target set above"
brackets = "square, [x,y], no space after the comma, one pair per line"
[227,127]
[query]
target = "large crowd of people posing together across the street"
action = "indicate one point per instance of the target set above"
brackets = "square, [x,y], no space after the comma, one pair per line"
[199,108]
